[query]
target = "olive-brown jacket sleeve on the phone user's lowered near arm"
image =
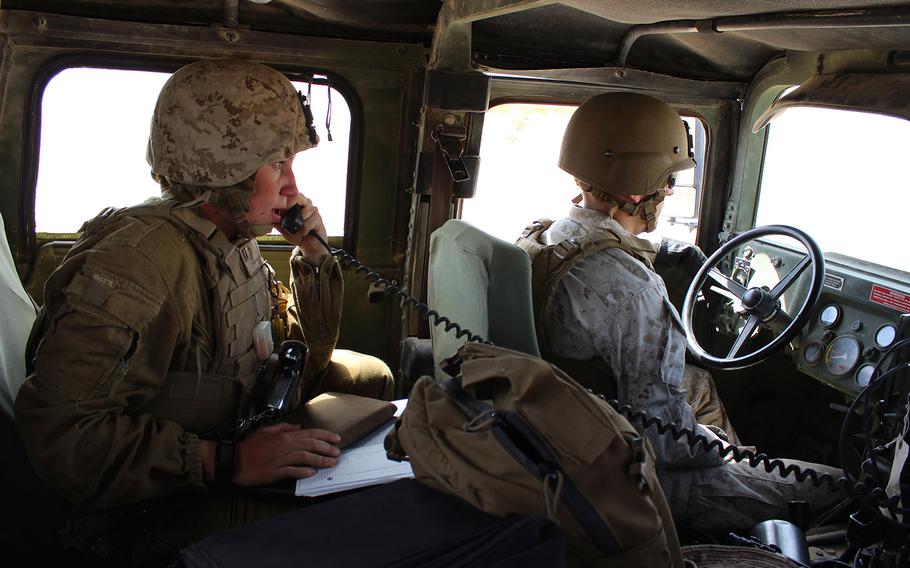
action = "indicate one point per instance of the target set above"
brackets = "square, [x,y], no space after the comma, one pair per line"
[102,346]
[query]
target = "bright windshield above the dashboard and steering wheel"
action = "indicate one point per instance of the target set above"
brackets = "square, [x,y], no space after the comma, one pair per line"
[839,175]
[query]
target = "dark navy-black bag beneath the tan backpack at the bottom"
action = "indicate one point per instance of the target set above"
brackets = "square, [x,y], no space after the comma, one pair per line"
[400,524]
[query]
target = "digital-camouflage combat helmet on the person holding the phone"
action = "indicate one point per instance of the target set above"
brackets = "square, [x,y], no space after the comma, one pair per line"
[216,122]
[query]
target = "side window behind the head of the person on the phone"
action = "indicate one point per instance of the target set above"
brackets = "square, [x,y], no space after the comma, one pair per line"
[94,131]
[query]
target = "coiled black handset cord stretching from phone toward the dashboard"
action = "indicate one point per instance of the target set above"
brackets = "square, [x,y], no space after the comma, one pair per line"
[694,440]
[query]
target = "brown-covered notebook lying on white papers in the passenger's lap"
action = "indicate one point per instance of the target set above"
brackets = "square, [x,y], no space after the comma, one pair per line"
[350,416]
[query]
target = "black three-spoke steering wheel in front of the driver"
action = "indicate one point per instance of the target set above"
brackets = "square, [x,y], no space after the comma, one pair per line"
[761,307]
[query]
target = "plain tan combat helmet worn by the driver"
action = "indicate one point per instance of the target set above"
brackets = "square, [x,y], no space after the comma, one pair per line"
[626,144]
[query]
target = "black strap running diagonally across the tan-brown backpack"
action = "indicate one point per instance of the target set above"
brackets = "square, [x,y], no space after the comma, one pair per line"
[524,444]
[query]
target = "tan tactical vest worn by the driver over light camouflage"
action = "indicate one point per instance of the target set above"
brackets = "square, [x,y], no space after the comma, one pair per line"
[549,264]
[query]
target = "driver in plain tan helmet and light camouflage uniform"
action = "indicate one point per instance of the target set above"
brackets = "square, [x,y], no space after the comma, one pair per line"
[603,314]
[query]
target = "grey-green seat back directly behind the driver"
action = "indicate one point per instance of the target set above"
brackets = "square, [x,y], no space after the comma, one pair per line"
[482,283]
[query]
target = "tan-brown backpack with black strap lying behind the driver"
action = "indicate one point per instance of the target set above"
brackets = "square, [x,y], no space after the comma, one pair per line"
[512,434]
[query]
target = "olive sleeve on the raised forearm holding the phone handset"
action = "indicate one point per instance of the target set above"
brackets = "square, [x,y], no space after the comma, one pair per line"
[314,309]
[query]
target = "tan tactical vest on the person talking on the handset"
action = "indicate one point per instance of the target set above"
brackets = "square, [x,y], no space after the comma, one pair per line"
[237,278]
